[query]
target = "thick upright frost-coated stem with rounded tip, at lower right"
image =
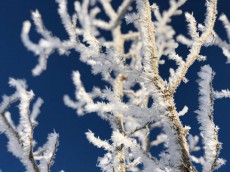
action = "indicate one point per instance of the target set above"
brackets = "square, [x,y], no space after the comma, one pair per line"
[209,130]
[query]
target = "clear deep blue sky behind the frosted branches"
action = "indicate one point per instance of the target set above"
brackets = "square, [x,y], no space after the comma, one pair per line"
[75,154]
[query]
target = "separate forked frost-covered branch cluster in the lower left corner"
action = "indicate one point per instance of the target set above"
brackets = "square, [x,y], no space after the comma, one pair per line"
[20,137]
